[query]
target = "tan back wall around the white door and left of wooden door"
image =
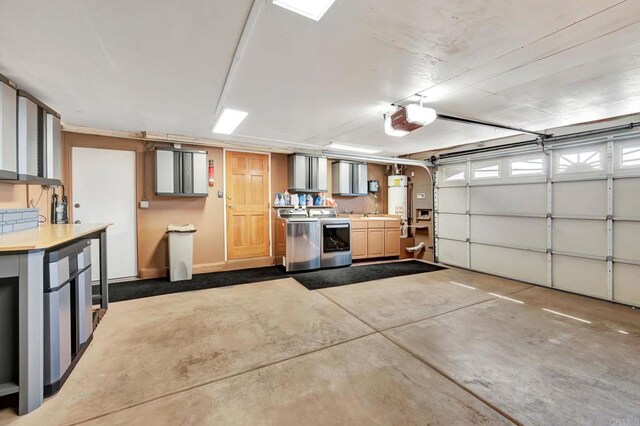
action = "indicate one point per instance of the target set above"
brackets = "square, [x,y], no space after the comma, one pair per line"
[207,214]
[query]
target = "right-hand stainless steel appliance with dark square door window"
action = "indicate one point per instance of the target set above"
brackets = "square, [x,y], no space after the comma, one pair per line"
[335,233]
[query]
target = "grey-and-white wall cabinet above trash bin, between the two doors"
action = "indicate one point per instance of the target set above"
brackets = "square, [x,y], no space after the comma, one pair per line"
[181,173]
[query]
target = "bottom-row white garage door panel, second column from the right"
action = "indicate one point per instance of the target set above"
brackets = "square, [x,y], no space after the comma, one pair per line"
[583,276]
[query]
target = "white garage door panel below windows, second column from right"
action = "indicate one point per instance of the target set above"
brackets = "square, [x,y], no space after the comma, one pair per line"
[587,198]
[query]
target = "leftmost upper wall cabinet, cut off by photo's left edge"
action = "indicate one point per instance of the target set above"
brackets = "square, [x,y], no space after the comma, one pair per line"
[8,130]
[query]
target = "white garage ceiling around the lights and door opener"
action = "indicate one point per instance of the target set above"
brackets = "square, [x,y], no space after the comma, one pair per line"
[160,66]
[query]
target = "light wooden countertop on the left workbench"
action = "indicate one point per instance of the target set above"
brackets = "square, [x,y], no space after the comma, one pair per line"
[47,236]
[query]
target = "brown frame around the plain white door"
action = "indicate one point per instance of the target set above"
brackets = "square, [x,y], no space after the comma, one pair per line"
[69,192]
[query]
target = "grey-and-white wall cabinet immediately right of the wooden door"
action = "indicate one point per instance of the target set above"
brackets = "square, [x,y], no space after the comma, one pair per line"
[307,173]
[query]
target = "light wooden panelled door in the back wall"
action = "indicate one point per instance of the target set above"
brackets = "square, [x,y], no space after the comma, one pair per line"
[247,188]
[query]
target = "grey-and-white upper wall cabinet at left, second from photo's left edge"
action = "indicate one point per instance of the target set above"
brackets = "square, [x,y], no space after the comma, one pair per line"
[39,136]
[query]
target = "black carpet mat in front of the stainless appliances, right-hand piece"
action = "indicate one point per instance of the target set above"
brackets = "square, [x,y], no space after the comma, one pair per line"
[325,278]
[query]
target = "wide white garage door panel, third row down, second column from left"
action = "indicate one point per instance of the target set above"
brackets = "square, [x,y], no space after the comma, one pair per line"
[512,231]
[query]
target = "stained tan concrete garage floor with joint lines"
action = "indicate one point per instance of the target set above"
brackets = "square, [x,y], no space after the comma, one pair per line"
[447,347]
